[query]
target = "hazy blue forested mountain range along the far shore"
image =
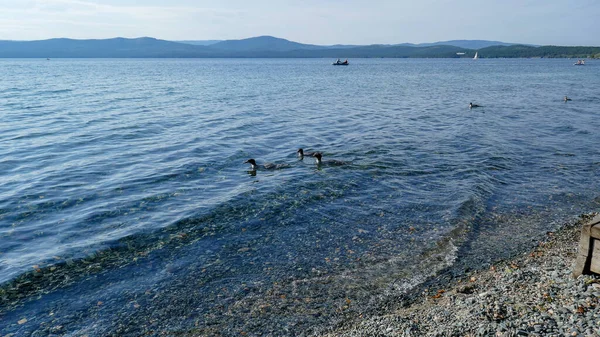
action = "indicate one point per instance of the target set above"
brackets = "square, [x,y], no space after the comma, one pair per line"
[272,47]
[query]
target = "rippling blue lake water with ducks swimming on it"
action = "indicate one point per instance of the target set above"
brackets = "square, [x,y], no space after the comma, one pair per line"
[126,209]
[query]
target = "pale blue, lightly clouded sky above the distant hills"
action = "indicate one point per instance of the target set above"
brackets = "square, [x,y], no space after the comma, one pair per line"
[324,22]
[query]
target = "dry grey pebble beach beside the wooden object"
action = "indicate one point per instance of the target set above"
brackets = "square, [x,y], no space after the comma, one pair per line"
[532,294]
